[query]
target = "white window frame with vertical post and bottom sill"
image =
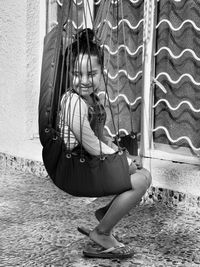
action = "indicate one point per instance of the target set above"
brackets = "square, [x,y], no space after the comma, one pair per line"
[149,148]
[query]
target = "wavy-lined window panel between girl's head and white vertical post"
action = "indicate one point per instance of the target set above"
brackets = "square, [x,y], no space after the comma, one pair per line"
[119,26]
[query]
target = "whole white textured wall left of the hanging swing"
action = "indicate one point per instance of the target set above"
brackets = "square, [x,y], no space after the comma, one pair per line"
[22,27]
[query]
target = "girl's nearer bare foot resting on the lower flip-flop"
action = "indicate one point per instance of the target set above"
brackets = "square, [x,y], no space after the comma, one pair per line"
[106,240]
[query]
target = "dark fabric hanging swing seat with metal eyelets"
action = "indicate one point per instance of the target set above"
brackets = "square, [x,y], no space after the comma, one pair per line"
[90,176]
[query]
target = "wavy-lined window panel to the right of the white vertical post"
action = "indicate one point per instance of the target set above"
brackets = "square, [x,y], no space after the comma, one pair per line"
[177,65]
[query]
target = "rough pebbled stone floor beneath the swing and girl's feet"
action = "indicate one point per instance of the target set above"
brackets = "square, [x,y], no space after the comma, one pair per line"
[38,227]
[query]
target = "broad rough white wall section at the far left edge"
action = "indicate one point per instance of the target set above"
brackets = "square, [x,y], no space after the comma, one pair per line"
[12,72]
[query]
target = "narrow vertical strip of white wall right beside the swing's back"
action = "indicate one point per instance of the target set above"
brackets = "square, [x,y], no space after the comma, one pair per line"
[33,52]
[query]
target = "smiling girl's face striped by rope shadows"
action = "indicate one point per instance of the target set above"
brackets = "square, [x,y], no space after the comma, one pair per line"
[86,75]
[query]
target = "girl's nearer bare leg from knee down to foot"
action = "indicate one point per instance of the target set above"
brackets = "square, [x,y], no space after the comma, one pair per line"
[120,206]
